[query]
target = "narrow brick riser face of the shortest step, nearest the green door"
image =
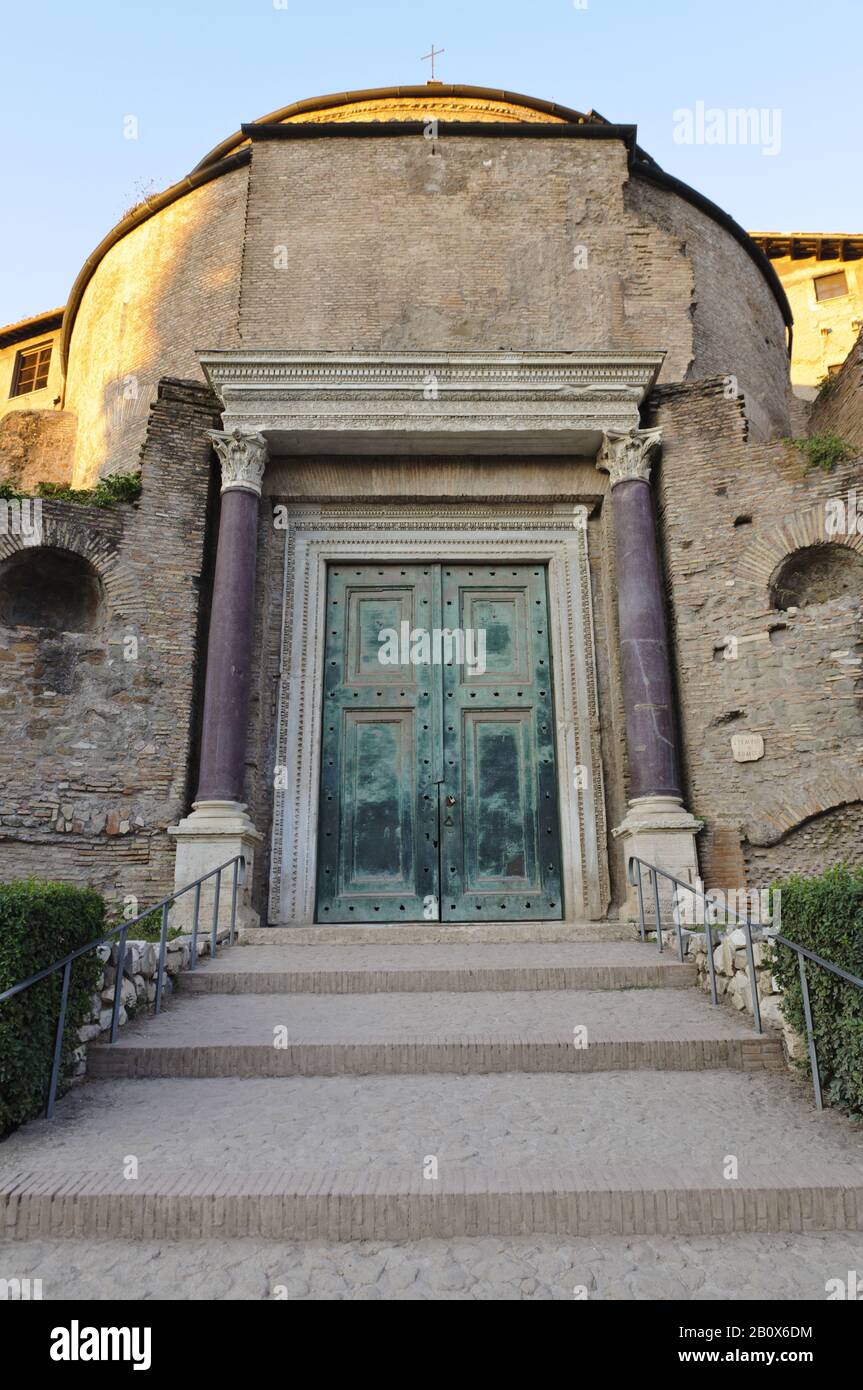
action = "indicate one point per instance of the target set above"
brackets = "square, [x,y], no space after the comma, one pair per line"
[434,982]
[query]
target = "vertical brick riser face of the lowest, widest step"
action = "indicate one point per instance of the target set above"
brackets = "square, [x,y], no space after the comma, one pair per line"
[400,1216]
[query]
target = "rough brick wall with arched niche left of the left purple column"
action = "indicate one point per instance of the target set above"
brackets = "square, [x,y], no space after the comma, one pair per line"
[101,725]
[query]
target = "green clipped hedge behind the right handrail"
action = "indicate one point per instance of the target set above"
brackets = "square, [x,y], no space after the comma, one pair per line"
[826,915]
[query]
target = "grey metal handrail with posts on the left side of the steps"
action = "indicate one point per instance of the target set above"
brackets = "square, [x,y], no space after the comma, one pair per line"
[124,928]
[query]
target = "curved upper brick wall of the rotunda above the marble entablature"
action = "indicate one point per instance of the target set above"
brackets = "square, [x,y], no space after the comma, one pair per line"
[402,243]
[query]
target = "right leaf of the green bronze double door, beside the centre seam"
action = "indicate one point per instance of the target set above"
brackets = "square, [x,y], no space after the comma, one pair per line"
[501,840]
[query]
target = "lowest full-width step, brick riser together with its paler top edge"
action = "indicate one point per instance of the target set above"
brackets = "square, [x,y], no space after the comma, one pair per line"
[390,1206]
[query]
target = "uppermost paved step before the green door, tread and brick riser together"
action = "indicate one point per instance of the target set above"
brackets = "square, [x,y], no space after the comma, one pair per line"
[452,968]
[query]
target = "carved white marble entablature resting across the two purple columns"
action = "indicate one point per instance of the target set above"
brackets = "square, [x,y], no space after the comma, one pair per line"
[431,402]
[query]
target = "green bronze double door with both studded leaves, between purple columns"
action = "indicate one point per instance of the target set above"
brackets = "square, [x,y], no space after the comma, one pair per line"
[438,779]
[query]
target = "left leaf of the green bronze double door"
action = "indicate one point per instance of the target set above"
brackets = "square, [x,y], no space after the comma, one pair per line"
[379,817]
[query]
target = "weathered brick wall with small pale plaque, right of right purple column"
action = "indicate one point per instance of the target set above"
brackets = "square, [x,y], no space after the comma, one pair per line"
[730,514]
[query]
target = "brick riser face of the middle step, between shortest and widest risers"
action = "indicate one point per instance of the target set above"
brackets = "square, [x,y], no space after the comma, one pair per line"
[425,1058]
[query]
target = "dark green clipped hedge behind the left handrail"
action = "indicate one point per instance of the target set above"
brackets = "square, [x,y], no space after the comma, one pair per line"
[41,924]
